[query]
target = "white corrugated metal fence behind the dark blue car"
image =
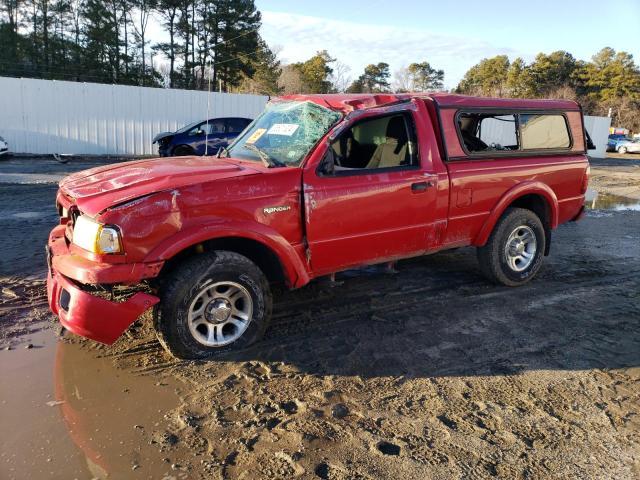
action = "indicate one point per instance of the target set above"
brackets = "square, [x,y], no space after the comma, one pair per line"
[47,116]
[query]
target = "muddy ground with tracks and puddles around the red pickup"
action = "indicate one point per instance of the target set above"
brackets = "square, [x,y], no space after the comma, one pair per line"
[427,373]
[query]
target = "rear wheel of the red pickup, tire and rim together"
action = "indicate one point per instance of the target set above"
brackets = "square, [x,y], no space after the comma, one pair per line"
[513,254]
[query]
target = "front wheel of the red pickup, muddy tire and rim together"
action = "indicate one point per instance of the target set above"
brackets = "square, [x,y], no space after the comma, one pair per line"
[214,303]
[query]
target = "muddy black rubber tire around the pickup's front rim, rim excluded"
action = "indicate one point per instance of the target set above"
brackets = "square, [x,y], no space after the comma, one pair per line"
[182,287]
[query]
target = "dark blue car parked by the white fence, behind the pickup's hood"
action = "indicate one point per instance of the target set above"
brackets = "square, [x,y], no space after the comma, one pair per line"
[193,139]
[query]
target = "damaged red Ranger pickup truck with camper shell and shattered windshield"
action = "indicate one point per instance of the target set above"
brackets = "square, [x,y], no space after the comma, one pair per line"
[315,185]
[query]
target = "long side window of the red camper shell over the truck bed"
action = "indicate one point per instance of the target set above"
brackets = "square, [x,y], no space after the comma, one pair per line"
[490,133]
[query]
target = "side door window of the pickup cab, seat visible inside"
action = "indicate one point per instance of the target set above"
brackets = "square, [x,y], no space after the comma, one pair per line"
[382,142]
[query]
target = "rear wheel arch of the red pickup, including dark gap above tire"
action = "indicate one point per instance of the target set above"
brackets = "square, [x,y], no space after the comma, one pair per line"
[535,196]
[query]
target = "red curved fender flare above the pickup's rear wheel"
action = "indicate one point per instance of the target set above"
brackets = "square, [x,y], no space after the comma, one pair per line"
[511,195]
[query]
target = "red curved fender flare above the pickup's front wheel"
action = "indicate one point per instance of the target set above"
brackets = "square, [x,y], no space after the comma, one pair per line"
[290,259]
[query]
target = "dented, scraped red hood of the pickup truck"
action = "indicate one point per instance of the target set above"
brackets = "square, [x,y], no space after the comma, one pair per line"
[97,189]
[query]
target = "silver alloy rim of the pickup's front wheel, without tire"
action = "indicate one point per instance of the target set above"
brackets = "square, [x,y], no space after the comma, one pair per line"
[220,313]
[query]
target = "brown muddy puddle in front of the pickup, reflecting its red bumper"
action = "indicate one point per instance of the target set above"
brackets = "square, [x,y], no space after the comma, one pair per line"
[66,414]
